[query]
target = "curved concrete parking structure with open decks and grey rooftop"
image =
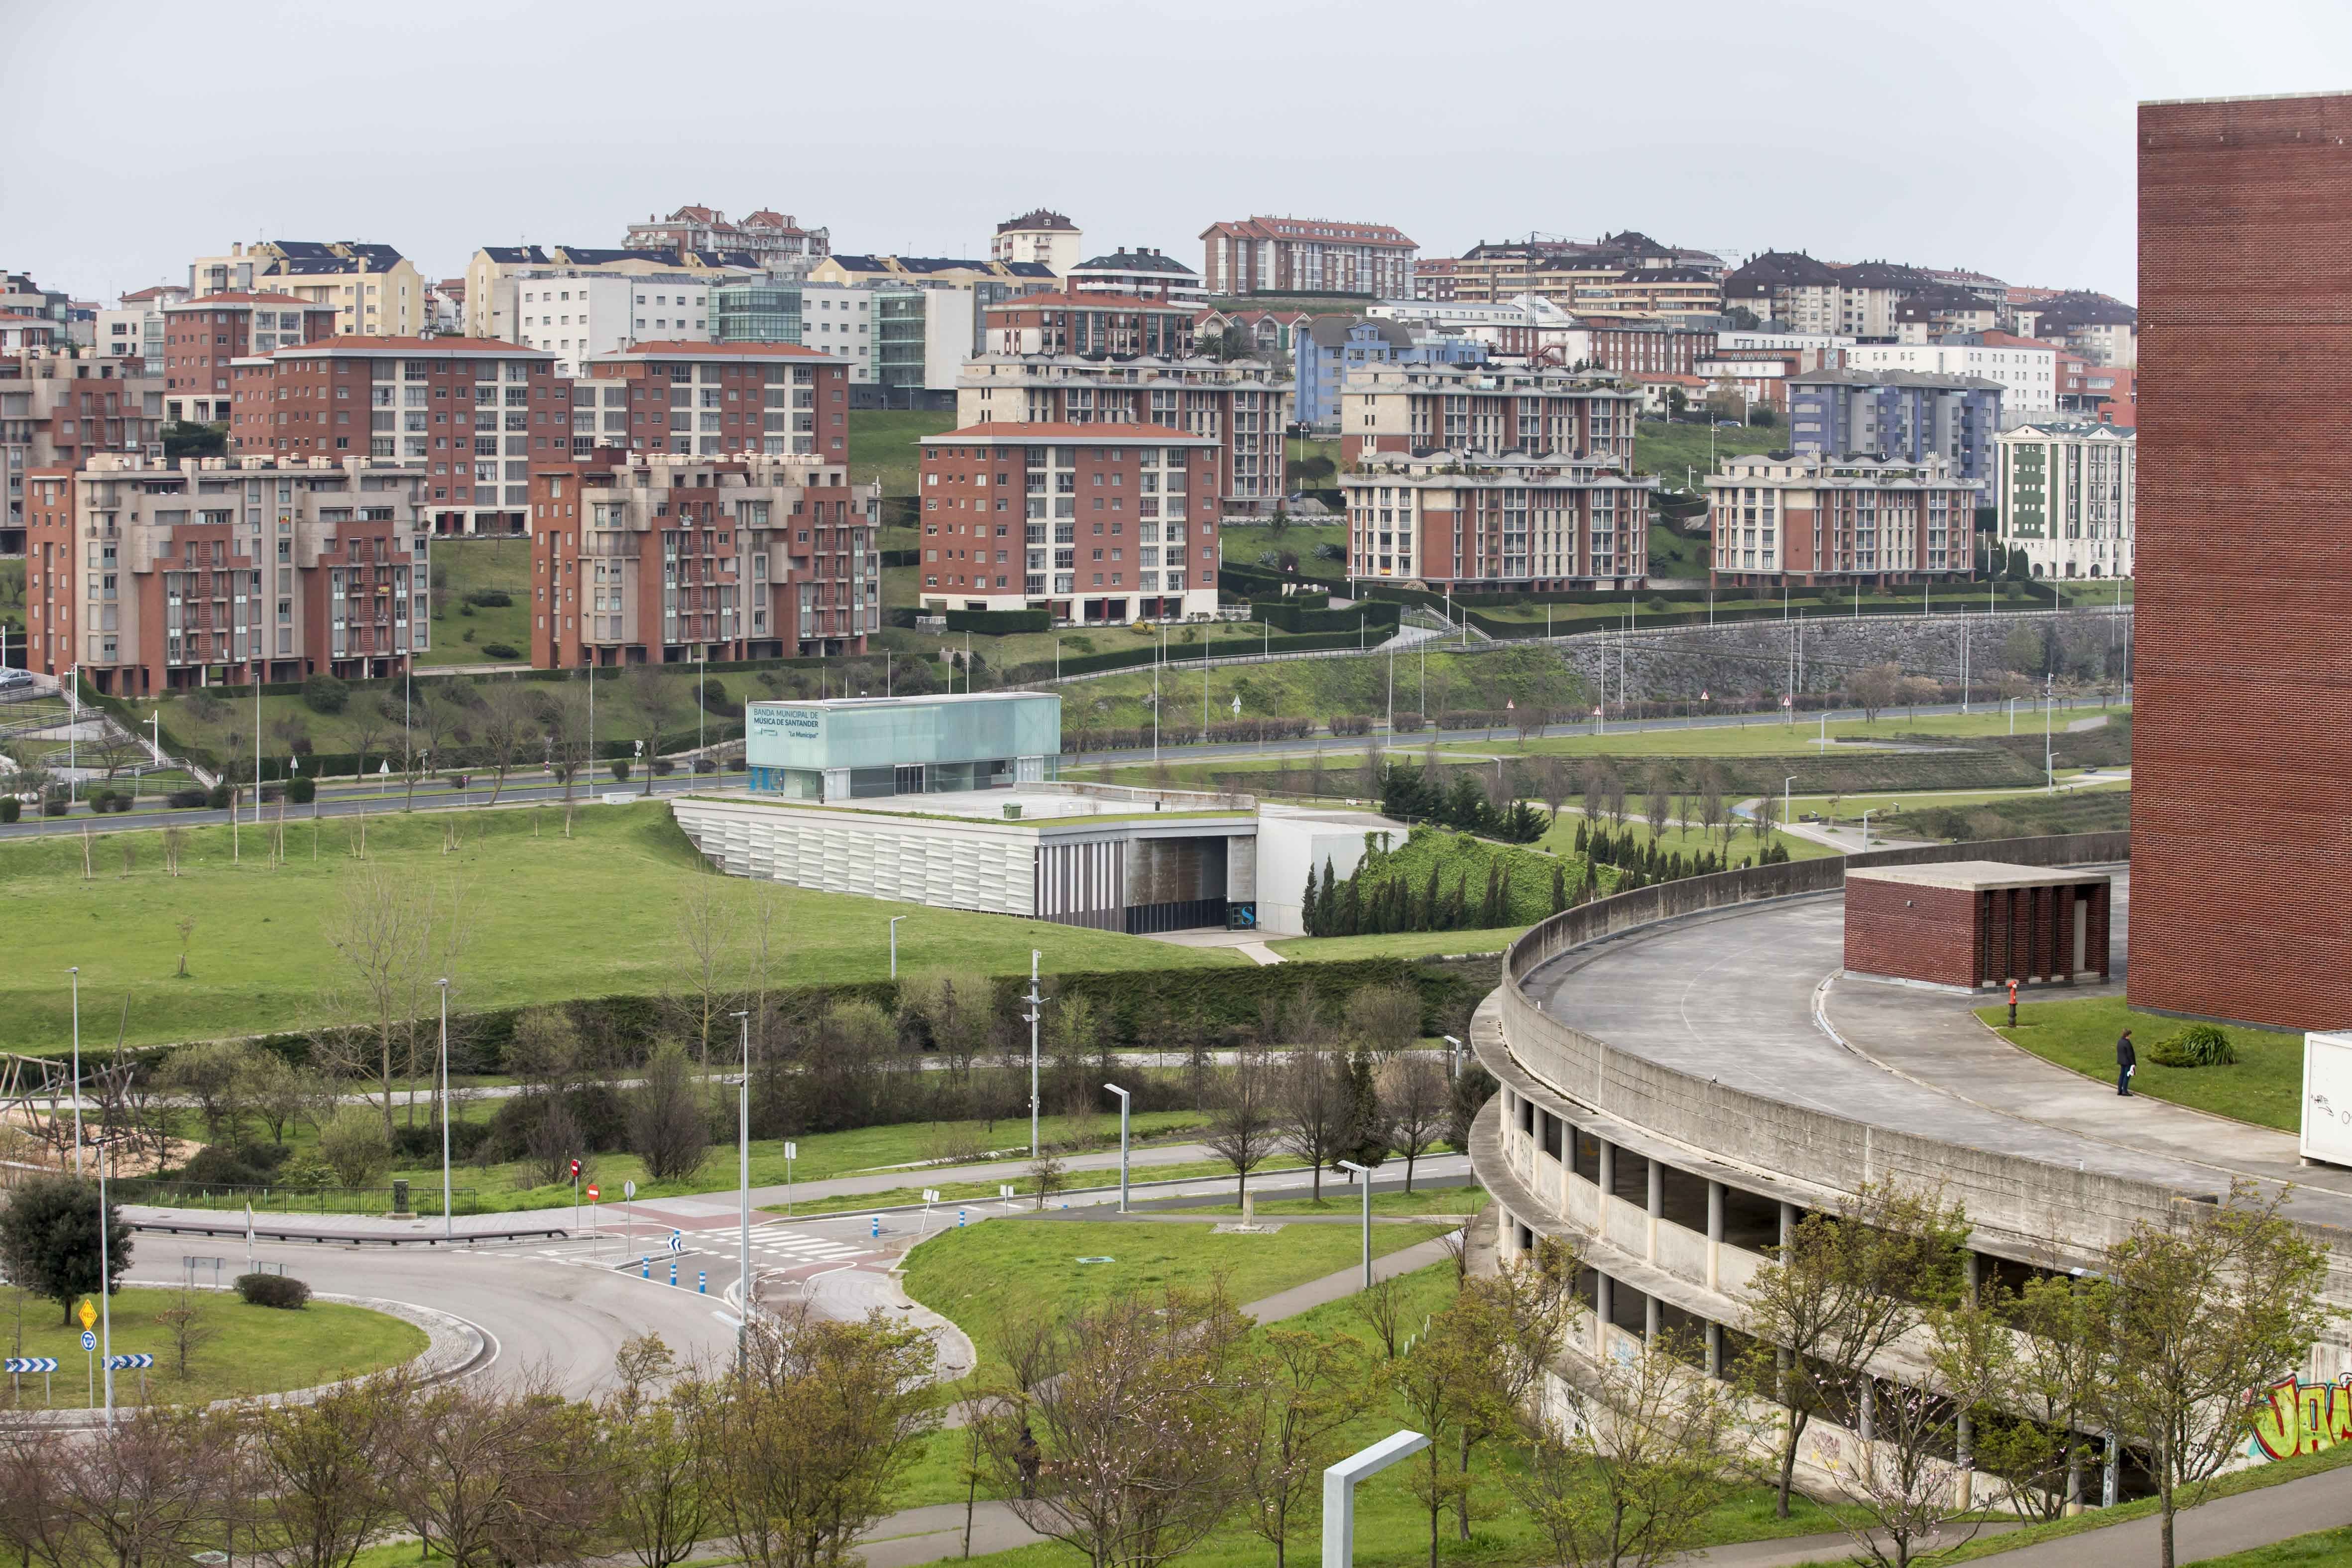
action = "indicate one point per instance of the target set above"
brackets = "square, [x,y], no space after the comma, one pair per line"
[1685,1071]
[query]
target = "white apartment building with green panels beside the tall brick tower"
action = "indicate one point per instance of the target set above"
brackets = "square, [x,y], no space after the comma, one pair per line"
[2066,497]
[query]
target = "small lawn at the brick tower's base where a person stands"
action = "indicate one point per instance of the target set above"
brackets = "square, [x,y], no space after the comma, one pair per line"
[2264,1087]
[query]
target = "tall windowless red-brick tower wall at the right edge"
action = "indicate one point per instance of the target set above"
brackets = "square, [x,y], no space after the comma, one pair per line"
[2240,847]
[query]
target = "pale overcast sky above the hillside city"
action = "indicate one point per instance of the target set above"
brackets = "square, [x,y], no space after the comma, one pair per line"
[1991,135]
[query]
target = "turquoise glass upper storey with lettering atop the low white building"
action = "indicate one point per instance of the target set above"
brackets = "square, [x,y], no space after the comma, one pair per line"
[869,749]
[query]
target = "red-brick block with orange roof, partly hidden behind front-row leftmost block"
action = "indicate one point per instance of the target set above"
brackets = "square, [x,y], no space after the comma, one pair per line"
[474,415]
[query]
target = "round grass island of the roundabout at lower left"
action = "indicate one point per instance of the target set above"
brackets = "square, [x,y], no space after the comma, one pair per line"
[258,1351]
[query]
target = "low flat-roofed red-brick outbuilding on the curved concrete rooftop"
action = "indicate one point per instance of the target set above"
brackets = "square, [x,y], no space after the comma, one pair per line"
[1977,923]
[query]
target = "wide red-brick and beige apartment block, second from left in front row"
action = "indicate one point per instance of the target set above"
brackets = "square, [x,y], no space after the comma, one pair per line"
[664,558]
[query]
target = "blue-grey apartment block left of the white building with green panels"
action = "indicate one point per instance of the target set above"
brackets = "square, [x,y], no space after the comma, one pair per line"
[1899,415]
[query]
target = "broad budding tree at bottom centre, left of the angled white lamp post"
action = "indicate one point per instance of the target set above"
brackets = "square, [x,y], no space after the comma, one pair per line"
[1142,1445]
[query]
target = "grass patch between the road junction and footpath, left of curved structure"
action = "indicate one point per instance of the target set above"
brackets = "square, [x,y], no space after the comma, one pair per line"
[1015,1268]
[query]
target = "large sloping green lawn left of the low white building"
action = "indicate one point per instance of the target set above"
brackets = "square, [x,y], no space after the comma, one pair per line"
[547,923]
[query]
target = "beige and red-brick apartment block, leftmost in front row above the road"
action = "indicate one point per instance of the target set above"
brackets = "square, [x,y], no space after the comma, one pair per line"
[211,572]
